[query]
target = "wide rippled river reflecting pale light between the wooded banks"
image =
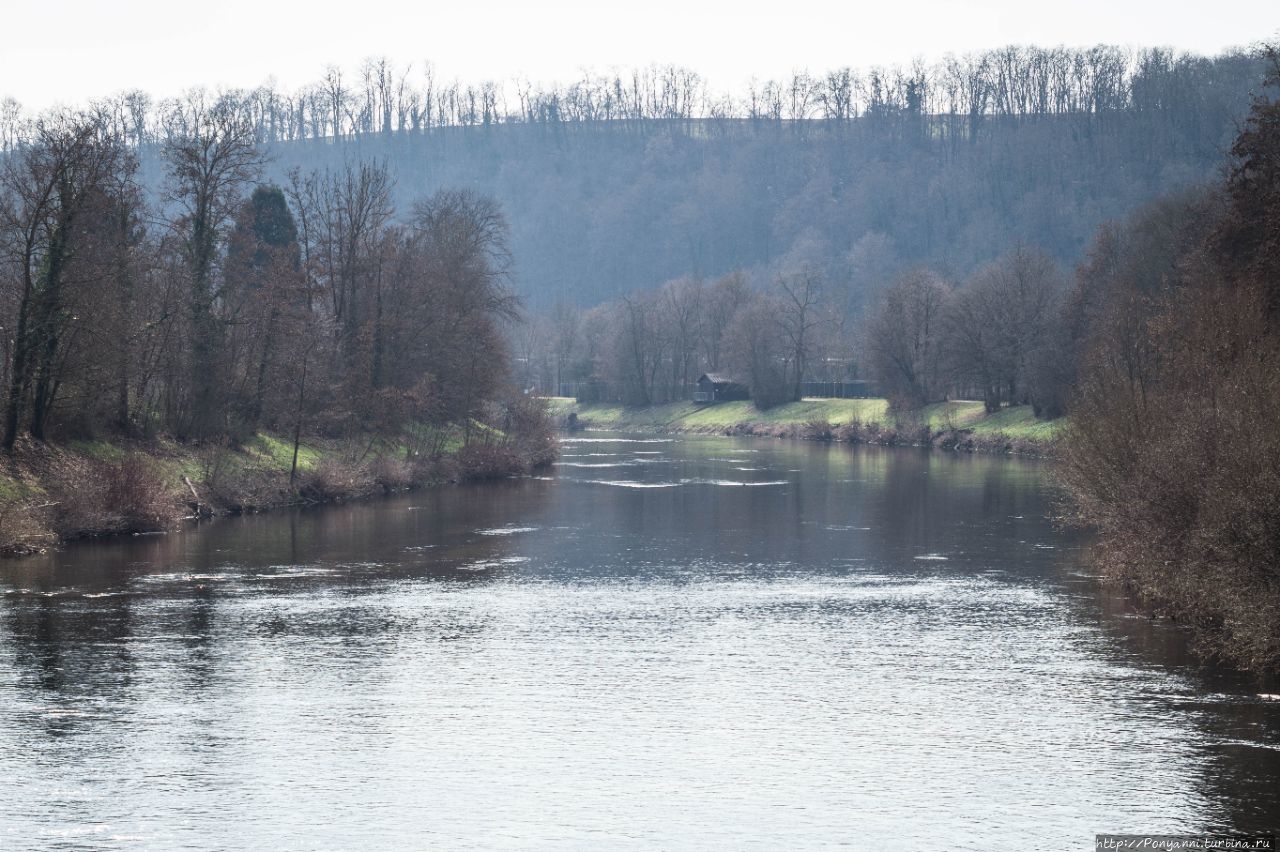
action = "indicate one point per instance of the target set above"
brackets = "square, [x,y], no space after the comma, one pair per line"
[702,643]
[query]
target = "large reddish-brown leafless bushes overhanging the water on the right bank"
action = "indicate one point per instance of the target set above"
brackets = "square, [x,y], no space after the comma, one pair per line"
[1174,457]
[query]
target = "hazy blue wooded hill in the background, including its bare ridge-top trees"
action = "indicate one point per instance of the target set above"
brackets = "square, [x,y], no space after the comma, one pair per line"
[625,181]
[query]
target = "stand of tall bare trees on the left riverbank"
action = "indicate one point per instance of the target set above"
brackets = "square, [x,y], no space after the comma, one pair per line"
[226,306]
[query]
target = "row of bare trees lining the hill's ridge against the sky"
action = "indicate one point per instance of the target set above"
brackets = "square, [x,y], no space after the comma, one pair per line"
[1009,83]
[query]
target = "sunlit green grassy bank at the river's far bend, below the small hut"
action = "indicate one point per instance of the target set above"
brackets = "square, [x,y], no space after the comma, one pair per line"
[954,425]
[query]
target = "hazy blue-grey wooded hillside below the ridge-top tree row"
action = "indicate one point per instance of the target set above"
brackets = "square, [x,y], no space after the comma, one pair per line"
[601,208]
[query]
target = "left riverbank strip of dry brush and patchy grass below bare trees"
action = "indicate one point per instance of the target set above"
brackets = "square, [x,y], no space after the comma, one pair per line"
[52,493]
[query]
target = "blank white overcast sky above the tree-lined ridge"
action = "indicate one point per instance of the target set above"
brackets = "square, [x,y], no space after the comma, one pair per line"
[71,51]
